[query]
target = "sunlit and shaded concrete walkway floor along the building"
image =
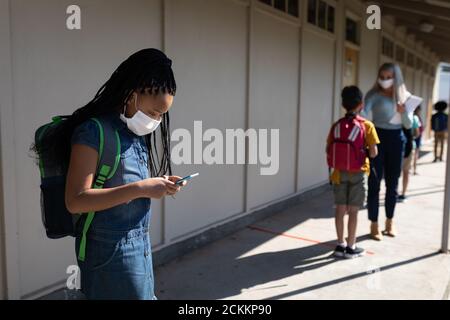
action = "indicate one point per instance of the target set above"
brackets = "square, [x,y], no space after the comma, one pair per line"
[288,255]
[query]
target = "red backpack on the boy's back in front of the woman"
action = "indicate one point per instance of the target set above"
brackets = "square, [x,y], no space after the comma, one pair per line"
[347,149]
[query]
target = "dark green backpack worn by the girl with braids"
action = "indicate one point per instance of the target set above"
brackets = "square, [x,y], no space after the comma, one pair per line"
[57,220]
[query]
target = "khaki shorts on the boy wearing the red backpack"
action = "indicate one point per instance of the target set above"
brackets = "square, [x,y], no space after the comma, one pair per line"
[351,190]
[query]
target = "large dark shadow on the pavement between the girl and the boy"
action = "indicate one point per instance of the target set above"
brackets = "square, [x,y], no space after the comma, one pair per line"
[251,271]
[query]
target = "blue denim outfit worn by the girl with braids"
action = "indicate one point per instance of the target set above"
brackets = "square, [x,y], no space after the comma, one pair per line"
[118,262]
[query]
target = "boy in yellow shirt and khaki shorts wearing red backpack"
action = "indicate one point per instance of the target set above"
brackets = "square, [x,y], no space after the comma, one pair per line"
[351,141]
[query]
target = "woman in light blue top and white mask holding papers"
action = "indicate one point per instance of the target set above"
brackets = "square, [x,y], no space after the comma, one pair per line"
[385,99]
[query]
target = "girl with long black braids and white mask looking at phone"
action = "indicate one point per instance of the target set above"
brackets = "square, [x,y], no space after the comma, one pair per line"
[136,100]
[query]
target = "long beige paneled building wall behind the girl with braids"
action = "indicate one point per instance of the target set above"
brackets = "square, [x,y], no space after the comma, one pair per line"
[238,63]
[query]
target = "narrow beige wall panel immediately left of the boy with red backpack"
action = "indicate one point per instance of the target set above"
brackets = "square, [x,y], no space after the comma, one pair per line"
[316,107]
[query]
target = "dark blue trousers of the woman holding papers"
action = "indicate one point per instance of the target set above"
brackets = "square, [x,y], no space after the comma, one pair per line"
[387,164]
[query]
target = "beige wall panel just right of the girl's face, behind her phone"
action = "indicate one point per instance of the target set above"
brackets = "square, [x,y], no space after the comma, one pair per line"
[210,62]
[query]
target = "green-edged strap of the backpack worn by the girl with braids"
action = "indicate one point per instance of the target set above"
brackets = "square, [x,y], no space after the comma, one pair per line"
[108,161]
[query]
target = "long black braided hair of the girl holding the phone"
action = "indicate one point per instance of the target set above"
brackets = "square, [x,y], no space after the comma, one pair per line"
[146,71]
